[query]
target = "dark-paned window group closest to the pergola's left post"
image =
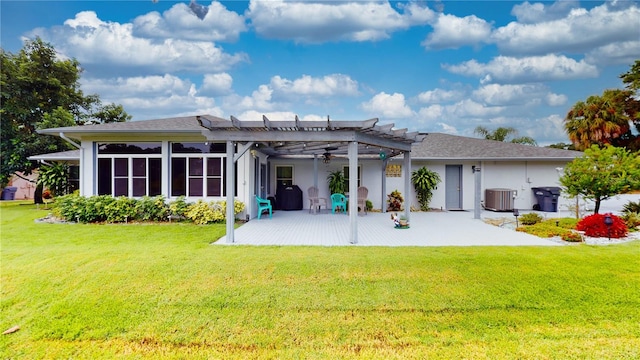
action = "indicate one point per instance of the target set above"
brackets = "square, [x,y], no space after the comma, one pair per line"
[197,169]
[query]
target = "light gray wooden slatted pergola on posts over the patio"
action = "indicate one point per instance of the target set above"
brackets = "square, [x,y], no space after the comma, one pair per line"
[311,139]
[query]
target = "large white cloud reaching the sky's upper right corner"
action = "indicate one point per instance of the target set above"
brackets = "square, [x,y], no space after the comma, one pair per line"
[579,31]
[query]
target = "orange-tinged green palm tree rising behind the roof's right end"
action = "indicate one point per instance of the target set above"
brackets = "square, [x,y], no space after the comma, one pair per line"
[600,120]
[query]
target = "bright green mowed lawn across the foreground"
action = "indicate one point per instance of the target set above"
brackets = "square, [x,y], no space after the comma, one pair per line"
[162,291]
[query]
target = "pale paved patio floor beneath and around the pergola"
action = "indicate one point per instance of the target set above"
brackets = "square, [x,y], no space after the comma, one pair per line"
[437,228]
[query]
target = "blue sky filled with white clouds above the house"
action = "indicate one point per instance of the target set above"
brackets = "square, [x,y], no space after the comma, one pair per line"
[433,66]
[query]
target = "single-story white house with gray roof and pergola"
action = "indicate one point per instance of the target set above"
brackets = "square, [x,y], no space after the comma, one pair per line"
[187,156]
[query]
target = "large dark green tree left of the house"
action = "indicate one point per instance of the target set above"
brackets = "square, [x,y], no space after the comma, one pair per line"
[39,90]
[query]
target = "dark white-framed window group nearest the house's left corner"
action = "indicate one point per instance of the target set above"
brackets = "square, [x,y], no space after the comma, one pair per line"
[129,169]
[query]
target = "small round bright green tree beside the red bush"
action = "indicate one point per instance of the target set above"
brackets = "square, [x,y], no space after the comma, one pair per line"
[602,173]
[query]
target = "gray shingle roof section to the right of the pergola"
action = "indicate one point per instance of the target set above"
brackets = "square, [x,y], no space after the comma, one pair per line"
[438,146]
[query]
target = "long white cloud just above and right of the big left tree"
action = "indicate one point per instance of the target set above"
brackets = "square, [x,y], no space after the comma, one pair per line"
[95,42]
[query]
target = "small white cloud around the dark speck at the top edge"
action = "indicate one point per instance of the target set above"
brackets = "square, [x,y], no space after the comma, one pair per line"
[179,21]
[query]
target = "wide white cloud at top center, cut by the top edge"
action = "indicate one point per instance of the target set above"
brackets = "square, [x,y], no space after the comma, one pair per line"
[315,22]
